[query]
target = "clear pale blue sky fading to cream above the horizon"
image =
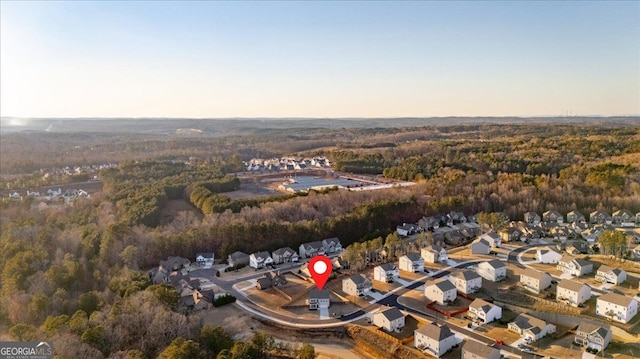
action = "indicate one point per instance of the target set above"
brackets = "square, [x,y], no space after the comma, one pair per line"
[212,59]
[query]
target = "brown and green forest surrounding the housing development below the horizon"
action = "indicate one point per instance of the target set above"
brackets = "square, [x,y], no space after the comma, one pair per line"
[77,275]
